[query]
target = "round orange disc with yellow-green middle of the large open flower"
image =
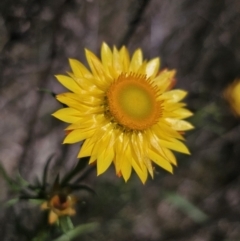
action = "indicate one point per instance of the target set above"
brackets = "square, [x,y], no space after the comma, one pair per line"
[132,102]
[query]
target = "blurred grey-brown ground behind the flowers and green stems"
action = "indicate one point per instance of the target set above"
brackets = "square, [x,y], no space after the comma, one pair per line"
[200,39]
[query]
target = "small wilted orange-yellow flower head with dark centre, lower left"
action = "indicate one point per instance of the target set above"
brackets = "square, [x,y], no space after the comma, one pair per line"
[59,205]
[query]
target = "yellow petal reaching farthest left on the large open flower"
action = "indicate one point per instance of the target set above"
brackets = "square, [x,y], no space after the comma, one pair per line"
[68,115]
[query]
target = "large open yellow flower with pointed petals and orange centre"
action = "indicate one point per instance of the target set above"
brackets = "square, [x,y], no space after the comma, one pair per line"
[123,110]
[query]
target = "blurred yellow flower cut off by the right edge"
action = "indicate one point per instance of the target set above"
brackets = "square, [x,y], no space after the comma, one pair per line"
[232,95]
